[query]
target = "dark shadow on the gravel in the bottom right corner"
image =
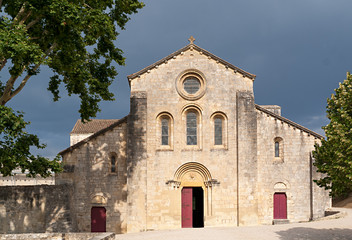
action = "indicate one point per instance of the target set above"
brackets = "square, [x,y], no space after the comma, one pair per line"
[313,234]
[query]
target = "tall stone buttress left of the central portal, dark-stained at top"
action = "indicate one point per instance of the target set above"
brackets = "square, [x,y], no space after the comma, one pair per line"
[136,162]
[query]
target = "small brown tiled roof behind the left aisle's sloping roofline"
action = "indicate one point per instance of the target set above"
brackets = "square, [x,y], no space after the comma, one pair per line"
[92,126]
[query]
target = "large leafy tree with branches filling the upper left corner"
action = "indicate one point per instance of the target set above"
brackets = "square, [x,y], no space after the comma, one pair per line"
[75,38]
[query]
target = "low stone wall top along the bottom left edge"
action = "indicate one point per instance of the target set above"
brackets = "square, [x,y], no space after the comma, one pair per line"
[59,236]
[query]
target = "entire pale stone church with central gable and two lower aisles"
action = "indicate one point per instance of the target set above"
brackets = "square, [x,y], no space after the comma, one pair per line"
[195,150]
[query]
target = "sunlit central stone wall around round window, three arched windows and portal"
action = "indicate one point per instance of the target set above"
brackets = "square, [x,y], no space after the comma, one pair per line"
[163,201]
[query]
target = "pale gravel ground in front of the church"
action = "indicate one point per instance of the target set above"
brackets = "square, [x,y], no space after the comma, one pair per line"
[326,229]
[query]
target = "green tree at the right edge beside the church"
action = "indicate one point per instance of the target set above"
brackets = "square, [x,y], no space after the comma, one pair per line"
[333,156]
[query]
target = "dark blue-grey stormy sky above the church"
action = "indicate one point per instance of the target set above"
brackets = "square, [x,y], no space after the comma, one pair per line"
[300,50]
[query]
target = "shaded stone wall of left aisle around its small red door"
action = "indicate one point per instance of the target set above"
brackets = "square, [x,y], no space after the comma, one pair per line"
[94,184]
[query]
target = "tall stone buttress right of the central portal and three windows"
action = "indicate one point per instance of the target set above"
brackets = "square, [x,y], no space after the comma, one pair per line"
[247,159]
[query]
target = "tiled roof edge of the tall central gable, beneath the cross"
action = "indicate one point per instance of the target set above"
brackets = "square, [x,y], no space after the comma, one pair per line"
[199,49]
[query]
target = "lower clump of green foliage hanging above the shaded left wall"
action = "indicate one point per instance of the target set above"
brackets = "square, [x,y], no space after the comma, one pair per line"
[15,147]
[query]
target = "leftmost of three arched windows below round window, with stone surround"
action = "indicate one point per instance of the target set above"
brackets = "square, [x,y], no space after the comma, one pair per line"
[164,131]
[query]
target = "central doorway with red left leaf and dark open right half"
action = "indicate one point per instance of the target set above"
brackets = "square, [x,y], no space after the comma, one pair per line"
[192,207]
